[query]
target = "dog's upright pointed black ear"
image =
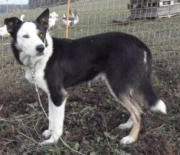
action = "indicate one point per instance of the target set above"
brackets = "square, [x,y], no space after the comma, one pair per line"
[43,19]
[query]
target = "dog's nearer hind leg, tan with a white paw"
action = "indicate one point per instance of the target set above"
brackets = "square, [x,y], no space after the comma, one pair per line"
[122,94]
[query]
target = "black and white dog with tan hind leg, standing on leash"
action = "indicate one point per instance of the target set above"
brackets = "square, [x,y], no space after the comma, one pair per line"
[121,59]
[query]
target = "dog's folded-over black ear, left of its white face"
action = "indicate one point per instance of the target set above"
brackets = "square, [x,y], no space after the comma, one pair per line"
[12,23]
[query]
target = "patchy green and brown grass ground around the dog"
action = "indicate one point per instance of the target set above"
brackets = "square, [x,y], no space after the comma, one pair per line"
[92,116]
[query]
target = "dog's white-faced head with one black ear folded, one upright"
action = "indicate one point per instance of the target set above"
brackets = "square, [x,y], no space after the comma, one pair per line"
[29,37]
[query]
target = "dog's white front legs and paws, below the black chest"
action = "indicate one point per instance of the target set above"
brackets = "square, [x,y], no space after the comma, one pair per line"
[56,118]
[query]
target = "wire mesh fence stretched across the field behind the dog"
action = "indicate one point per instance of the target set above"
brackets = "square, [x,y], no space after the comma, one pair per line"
[95,16]
